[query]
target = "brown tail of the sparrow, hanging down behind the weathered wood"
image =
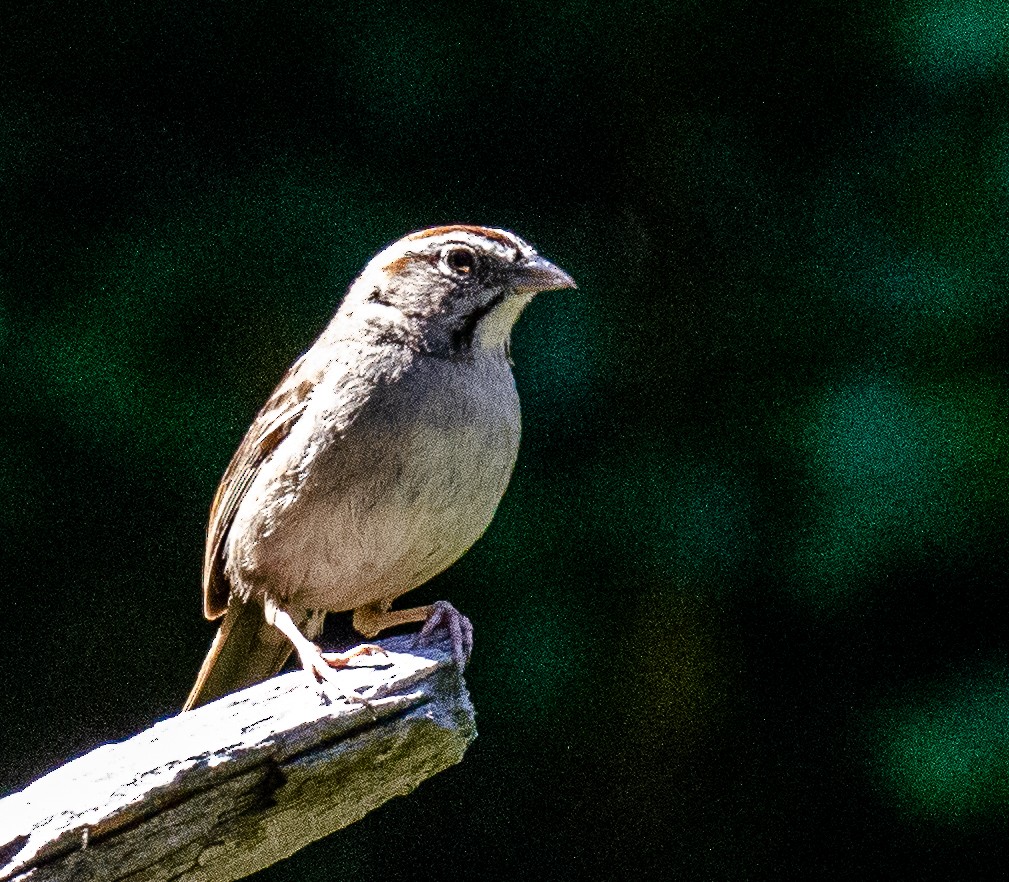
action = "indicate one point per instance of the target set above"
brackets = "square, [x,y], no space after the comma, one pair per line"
[246,650]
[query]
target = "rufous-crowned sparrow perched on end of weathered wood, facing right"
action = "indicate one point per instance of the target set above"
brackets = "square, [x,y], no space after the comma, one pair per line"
[377,463]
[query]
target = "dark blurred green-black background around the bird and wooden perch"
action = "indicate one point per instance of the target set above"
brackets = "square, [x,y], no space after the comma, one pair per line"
[743,613]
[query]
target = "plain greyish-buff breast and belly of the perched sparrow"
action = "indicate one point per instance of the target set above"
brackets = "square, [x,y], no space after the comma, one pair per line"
[391,500]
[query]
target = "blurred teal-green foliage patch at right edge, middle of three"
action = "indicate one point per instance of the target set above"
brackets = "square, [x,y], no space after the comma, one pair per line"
[896,471]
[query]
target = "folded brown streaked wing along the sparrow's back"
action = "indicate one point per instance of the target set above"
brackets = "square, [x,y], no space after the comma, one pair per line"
[274,423]
